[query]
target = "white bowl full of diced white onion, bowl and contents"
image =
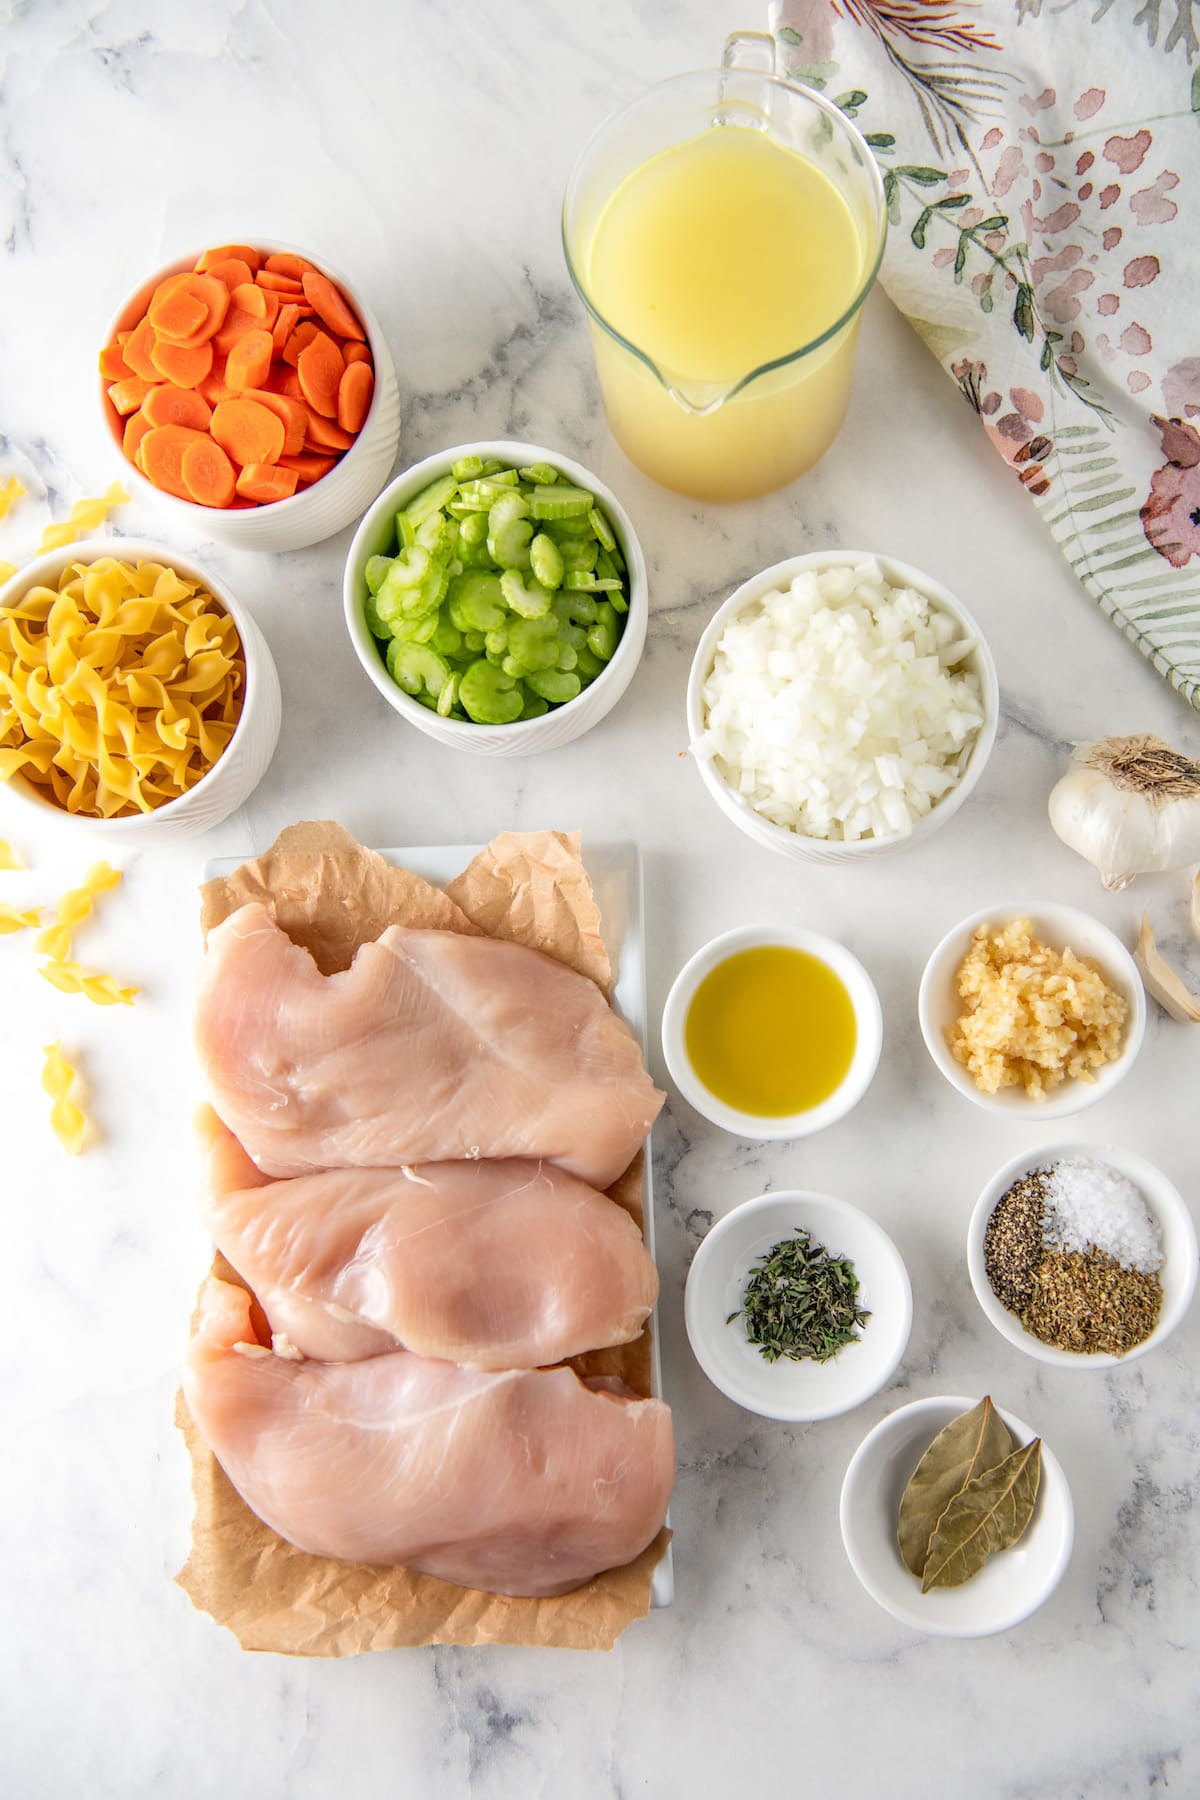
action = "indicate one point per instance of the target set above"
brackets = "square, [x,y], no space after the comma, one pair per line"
[828,652]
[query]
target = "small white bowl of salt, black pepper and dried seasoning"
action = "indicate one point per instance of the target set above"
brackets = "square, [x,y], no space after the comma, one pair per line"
[1082,1221]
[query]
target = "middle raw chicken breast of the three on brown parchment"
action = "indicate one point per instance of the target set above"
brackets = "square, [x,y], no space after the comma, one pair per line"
[492,1264]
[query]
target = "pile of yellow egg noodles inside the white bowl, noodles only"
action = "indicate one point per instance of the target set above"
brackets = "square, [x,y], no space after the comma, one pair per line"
[120,690]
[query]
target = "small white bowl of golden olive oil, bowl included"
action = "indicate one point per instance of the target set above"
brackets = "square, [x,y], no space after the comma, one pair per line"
[773,1032]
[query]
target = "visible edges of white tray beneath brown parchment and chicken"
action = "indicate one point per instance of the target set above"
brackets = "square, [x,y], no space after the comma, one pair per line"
[616,876]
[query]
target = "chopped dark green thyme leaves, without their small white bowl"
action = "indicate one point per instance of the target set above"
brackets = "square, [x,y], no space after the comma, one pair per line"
[801,1302]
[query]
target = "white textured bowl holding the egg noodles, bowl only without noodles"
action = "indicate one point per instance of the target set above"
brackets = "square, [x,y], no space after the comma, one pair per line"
[238,769]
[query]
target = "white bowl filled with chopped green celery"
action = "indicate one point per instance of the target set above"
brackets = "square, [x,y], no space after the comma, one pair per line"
[497,598]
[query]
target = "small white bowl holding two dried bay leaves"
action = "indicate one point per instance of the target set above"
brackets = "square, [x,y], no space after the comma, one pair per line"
[956,1520]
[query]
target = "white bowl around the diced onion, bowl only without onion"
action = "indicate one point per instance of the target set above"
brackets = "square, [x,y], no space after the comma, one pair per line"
[963,771]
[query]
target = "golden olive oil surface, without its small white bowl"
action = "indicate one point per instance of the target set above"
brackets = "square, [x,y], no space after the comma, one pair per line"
[771,1032]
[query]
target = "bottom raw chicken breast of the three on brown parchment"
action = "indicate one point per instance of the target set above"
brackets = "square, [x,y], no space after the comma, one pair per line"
[526,1482]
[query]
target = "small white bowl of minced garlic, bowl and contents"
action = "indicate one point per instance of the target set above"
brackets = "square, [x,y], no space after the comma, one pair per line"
[983,1009]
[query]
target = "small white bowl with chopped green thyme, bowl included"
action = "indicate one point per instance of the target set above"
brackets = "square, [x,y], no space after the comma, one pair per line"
[798,1306]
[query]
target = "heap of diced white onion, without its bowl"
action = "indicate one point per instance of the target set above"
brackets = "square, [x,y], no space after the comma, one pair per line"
[841,708]
